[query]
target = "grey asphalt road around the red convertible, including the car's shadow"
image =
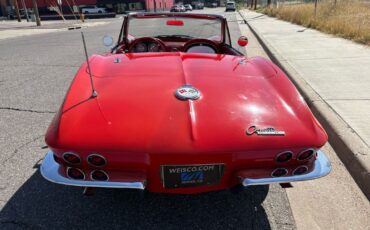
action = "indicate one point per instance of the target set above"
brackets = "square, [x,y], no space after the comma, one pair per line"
[34,76]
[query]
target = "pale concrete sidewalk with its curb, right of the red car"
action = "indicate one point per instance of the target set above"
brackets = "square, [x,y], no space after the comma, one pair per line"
[333,75]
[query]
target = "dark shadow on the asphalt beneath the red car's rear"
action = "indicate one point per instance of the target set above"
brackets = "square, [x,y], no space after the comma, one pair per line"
[39,204]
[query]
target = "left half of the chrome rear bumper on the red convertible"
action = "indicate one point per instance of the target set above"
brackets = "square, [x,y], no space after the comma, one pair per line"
[50,171]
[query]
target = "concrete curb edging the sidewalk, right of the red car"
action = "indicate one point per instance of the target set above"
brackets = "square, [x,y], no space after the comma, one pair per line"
[350,148]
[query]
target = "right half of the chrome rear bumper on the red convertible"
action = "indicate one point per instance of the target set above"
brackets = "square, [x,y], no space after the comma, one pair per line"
[322,168]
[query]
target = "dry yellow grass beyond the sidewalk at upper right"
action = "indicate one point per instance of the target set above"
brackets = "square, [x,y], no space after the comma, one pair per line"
[348,18]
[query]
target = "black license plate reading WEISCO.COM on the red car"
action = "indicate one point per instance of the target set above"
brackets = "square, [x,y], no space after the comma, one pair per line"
[179,176]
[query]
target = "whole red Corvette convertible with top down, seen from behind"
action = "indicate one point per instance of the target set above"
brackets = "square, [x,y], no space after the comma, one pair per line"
[174,108]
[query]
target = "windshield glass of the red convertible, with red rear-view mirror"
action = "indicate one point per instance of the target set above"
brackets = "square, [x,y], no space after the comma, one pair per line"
[188,28]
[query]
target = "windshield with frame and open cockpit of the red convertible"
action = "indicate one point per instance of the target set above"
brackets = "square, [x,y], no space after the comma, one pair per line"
[175,32]
